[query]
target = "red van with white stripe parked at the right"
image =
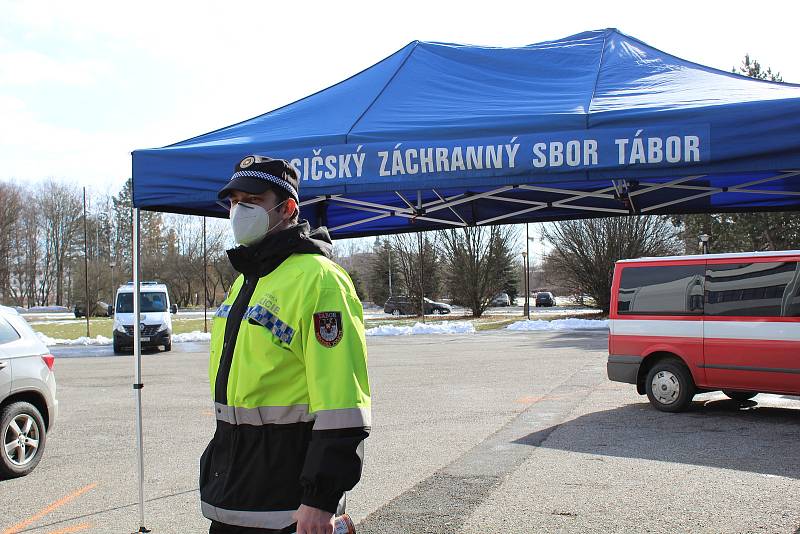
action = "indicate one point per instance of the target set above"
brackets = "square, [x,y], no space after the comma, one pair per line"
[690,324]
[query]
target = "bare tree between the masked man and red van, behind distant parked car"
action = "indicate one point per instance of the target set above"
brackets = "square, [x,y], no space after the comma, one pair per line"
[480,263]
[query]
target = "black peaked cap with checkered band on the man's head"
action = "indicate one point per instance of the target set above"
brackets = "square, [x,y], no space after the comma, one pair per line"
[255,174]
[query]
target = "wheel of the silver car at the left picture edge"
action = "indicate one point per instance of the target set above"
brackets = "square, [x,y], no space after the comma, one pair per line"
[23,439]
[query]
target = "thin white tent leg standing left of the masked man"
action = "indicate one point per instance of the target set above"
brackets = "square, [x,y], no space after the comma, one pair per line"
[137,351]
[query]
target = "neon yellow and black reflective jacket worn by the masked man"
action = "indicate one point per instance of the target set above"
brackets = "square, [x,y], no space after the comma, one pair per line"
[291,394]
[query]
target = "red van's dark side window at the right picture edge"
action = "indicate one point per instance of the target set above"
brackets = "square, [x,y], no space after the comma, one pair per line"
[753,289]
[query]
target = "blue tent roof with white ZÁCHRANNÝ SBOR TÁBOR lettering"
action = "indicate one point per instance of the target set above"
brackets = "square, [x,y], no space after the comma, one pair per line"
[441,135]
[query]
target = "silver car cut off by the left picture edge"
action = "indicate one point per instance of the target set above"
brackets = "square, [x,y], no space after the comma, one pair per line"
[28,405]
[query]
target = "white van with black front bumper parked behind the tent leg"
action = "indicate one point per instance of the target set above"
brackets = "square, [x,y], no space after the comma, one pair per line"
[156,318]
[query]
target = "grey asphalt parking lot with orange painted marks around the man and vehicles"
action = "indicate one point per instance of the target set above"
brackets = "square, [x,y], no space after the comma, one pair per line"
[497,432]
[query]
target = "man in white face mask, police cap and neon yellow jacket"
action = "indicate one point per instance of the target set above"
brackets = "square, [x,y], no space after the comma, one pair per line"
[287,369]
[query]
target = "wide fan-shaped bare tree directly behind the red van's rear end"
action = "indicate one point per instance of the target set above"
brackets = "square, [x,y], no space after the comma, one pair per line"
[584,251]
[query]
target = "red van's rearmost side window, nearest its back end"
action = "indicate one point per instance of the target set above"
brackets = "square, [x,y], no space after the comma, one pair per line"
[661,290]
